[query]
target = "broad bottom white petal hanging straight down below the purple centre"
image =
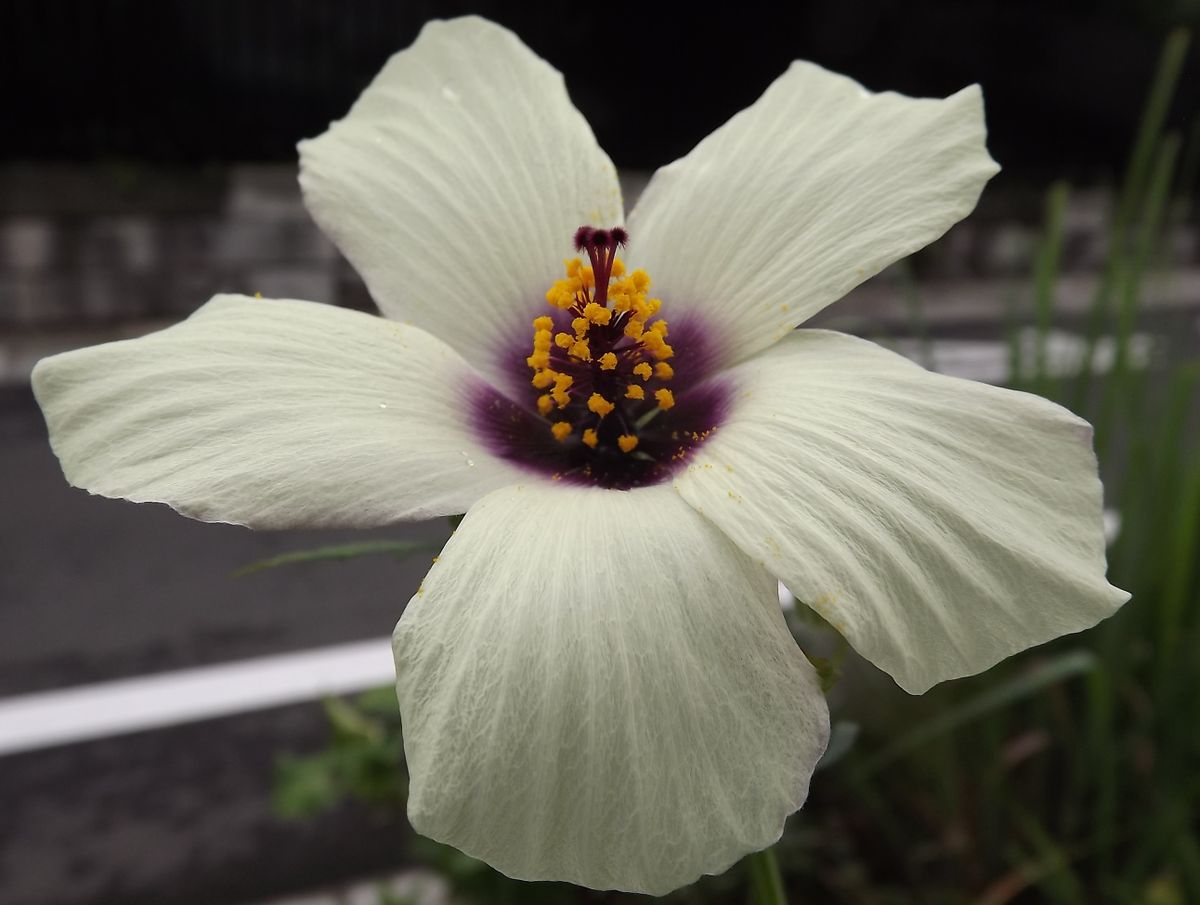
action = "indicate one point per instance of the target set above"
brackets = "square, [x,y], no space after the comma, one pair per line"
[598,687]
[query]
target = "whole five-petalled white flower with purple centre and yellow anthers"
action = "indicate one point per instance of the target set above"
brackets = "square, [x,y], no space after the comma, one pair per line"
[596,679]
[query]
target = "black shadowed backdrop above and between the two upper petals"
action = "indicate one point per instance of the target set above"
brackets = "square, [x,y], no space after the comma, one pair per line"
[217,81]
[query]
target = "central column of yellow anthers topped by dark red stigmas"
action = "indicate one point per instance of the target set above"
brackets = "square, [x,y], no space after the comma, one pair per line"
[601,359]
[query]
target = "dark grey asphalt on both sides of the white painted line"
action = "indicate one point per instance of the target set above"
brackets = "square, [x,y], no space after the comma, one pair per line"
[95,590]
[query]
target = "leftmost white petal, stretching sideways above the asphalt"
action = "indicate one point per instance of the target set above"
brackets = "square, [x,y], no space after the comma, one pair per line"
[273,415]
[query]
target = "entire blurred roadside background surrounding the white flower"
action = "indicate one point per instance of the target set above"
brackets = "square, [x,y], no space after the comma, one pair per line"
[176,728]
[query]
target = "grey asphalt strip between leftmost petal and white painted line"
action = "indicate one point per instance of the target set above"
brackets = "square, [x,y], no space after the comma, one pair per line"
[94,589]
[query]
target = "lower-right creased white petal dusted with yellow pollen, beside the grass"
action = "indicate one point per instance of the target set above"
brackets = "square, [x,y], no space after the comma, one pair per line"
[940,525]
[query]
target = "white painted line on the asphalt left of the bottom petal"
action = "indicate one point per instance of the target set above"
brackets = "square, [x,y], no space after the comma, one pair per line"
[111,709]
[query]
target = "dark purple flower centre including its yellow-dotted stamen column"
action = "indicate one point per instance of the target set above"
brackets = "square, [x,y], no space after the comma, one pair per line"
[607,407]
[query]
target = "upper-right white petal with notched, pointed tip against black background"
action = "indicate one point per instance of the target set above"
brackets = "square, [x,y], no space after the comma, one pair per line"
[803,196]
